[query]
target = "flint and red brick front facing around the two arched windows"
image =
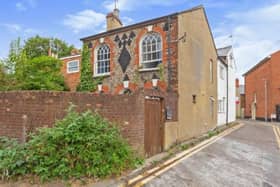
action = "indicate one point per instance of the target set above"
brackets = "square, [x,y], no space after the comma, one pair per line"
[137,77]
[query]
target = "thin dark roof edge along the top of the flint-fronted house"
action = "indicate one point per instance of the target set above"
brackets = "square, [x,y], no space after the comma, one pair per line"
[140,24]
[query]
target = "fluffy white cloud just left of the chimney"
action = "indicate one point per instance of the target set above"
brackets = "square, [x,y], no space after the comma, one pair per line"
[85,20]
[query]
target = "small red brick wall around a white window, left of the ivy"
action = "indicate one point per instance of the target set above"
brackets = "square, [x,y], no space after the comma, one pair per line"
[72,80]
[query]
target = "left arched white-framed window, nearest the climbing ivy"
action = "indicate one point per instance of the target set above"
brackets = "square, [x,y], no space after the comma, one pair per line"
[102,61]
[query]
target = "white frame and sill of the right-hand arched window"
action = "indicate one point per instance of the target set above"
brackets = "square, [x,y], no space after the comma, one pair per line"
[157,50]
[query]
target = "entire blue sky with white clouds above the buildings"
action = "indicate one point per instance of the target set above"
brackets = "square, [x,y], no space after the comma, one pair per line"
[253,24]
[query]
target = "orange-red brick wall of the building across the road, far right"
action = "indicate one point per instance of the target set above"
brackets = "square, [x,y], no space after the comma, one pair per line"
[254,83]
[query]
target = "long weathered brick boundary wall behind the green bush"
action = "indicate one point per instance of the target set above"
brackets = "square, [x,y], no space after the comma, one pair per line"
[23,112]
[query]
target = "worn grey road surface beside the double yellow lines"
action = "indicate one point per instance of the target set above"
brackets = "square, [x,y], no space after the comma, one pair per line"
[247,157]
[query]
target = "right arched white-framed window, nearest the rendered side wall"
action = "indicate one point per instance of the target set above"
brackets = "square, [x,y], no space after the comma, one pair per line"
[151,50]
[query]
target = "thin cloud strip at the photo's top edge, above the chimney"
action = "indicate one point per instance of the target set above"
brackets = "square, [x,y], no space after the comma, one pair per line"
[127,5]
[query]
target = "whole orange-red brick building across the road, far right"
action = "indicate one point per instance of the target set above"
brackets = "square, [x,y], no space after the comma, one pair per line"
[262,89]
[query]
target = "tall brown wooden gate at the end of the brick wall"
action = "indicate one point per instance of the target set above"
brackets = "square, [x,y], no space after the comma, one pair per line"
[154,125]
